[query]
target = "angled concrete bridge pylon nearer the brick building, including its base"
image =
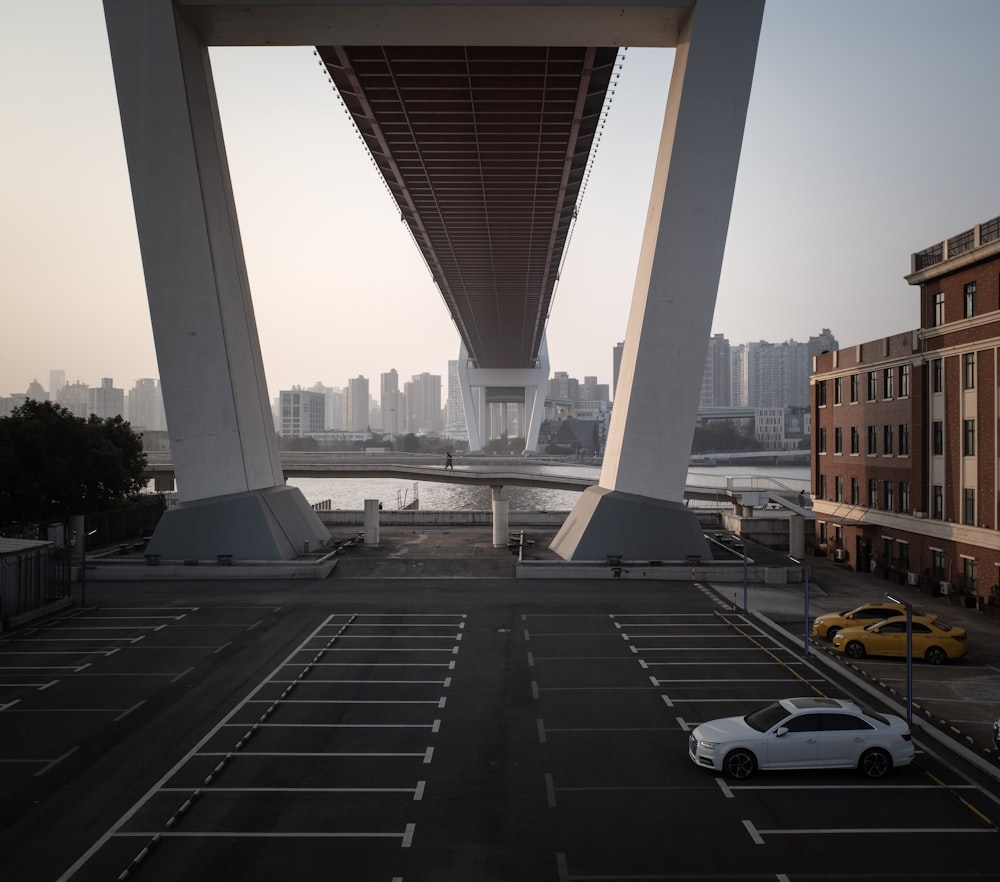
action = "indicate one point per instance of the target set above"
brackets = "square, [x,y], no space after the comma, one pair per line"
[637,510]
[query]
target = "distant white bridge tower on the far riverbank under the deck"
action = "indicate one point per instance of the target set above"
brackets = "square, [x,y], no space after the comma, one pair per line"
[483,387]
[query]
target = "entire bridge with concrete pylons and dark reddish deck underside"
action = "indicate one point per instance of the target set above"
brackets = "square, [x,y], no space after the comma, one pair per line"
[481,116]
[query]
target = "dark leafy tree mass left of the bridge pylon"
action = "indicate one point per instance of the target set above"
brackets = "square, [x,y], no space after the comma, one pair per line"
[54,464]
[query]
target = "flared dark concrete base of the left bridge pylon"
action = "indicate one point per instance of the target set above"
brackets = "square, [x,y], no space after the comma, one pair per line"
[271,524]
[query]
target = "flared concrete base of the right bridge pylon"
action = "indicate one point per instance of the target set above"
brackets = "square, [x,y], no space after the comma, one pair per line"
[607,523]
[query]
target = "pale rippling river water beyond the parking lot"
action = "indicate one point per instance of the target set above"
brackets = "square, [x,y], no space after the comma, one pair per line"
[350,493]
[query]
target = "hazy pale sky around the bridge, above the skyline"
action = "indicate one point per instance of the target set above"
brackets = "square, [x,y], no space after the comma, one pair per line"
[872,133]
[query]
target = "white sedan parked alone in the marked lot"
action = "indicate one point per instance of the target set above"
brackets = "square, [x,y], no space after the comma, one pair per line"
[803,733]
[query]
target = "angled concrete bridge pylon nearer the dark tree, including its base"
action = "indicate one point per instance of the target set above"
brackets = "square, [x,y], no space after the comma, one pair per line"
[233,498]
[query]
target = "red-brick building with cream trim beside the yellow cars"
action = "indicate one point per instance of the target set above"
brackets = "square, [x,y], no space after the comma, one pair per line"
[904,443]
